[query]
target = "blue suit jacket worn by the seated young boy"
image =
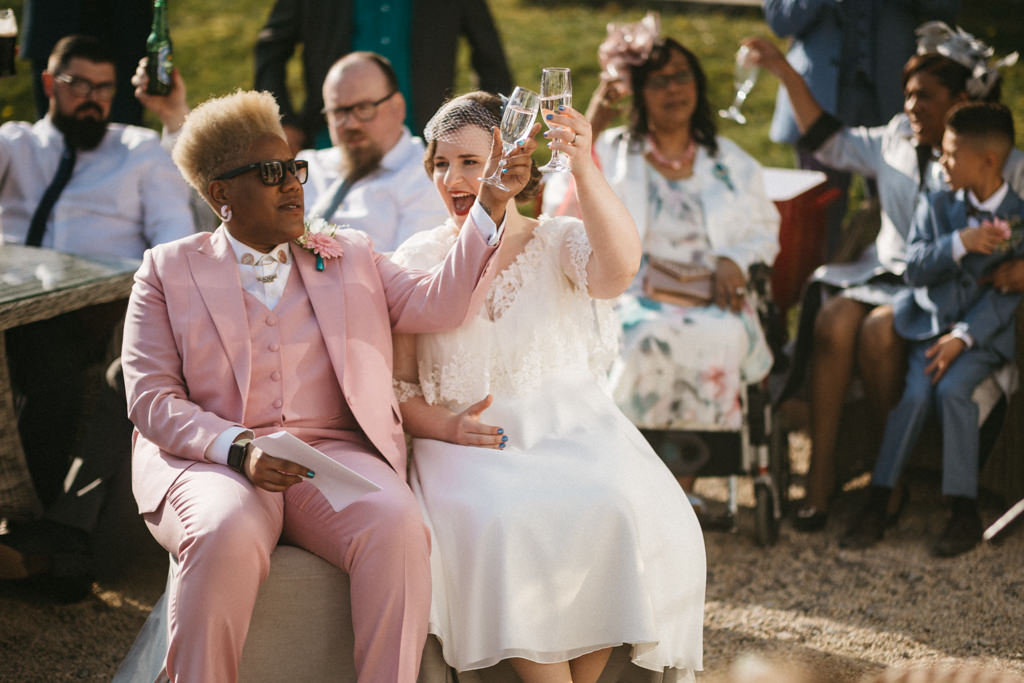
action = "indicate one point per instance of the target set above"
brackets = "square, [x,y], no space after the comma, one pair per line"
[947,292]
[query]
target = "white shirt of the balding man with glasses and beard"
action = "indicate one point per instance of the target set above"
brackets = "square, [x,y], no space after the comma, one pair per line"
[390,204]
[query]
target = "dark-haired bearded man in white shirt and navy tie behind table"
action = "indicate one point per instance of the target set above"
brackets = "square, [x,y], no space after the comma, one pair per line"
[75,183]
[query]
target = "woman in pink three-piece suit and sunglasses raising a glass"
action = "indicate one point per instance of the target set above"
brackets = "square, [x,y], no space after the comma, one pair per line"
[241,333]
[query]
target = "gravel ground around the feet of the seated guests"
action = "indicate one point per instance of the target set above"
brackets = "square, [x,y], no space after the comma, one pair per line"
[838,616]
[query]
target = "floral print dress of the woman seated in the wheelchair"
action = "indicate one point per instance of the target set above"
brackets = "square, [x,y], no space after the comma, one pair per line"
[684,368]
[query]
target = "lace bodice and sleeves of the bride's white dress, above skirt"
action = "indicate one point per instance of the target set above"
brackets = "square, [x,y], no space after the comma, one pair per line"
[537,320]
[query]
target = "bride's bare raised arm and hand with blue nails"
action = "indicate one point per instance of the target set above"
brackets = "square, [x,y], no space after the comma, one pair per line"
[613,235]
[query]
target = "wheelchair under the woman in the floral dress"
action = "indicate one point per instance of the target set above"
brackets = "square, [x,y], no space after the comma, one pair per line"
[758,449]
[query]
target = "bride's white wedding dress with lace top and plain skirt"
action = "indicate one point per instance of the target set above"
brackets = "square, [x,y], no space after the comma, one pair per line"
[576,537]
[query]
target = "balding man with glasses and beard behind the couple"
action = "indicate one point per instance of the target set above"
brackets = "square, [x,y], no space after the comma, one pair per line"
[373,179]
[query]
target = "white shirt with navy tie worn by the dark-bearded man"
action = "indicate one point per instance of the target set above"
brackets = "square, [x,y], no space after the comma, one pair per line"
[123,197]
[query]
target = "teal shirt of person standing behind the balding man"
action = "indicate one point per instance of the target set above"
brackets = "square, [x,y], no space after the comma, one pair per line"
[385,27]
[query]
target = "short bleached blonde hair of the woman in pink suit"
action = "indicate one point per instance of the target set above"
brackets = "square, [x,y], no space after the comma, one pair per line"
[218,135]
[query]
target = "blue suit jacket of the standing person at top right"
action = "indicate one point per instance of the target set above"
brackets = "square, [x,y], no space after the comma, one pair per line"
[818,31]
